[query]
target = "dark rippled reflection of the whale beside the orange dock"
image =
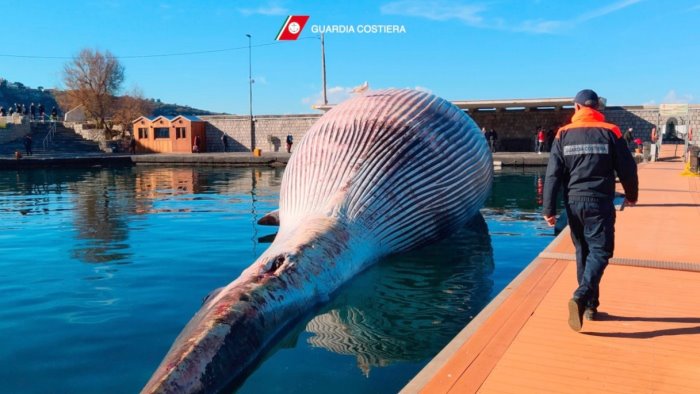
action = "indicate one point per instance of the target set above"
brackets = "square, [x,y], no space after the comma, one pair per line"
[408,307]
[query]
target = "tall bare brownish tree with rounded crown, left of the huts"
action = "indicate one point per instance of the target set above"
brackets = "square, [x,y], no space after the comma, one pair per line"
[92,80]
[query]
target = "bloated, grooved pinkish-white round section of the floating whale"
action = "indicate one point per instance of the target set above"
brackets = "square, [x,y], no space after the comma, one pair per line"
[403,165]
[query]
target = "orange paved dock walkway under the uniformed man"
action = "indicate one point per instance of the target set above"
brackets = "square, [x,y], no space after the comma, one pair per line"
[648,337]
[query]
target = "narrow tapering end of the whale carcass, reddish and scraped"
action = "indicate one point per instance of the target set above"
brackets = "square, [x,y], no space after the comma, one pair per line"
[233,328]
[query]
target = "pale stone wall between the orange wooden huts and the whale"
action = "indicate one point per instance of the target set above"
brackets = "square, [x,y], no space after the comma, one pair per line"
[270,131]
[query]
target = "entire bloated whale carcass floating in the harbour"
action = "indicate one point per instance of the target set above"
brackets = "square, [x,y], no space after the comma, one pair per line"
[381,173]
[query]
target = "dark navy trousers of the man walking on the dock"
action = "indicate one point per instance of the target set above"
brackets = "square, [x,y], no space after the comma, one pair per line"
[592,225]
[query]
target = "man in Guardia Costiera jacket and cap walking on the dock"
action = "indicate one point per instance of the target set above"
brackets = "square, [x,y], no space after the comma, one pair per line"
[585,156]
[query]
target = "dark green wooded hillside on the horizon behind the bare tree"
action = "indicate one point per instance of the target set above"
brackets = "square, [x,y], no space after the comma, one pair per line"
[16,92]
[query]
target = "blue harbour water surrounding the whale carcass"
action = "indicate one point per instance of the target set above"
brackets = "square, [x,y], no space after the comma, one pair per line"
[100,269]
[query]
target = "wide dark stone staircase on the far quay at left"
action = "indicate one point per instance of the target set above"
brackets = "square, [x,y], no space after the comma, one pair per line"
[64,141]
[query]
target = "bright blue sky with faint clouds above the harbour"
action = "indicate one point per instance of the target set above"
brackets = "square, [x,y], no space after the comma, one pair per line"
[630,51]
